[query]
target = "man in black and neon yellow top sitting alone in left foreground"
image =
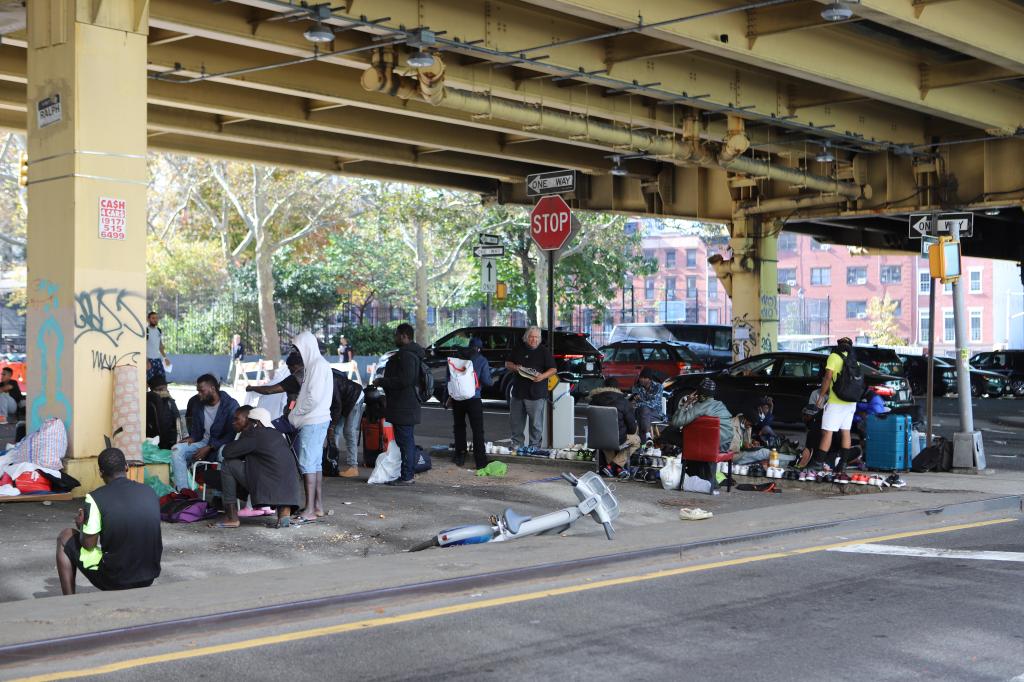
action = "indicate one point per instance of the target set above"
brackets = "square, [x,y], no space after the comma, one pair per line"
[117,545]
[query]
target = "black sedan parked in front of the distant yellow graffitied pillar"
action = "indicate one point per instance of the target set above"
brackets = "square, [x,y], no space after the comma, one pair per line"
[789,378]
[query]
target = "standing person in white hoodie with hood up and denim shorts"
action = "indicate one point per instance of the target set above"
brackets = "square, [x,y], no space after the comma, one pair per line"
[312,416]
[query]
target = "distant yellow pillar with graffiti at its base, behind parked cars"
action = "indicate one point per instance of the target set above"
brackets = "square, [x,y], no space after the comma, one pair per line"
[751,281]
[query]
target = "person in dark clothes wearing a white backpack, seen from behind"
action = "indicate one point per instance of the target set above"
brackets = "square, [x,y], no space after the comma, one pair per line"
[466,375]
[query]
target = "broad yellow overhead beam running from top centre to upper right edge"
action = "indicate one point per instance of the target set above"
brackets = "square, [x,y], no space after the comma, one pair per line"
[831,57]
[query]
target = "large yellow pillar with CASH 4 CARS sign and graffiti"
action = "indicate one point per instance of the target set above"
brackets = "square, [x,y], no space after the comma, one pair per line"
[88,194]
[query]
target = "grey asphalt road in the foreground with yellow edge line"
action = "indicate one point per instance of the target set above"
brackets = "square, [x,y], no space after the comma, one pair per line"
[938,605]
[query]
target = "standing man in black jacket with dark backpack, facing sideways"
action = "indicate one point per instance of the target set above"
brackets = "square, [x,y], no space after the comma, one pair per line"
[401,383]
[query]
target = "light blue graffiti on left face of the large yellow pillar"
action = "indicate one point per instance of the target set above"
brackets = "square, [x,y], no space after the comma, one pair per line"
[52,401]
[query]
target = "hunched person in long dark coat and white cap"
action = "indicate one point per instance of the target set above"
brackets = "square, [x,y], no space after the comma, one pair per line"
[260,461]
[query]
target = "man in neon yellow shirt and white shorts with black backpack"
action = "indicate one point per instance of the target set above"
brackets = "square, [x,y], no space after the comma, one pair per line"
[843,383]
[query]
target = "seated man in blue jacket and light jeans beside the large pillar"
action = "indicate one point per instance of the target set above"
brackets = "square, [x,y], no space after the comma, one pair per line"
[209,414]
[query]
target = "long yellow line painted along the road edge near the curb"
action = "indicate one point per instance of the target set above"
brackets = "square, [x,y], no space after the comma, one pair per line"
[478,606]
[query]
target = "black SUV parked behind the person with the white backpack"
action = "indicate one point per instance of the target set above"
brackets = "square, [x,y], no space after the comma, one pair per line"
[579,363]
